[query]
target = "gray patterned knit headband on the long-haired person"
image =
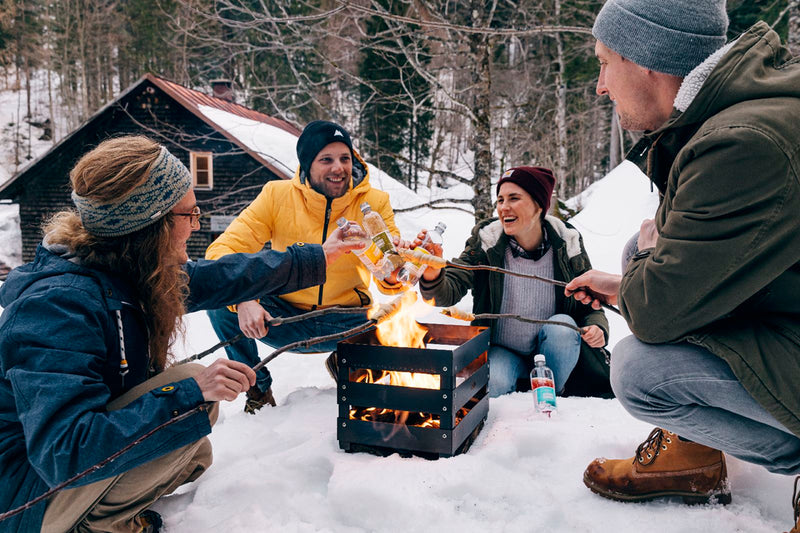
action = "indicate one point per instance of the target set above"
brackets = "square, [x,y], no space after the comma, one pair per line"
[167,184]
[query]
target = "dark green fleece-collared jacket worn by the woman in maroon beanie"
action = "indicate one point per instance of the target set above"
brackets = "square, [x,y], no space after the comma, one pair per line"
[487,246]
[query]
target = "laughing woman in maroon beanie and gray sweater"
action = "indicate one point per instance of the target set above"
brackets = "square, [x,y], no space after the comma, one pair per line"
[523,239]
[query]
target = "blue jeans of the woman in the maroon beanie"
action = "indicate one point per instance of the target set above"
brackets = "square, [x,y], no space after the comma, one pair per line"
[561,347]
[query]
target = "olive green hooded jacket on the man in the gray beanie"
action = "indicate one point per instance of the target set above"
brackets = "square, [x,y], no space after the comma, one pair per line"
[725,272]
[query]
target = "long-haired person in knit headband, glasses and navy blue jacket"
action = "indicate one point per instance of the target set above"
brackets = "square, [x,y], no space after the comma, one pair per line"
[85,340]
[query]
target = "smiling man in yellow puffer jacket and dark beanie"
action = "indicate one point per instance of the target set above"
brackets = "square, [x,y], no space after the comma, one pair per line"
[332,181]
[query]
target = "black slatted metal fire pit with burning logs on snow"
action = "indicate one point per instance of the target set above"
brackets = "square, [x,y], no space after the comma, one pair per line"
[429,401]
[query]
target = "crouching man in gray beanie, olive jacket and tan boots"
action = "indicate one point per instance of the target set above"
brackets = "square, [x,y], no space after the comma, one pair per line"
[713,296]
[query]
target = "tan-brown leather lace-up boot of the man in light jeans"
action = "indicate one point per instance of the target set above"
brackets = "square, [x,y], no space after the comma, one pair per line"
[663,466]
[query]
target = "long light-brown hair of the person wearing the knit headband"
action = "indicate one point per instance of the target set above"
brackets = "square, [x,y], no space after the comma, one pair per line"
[108,173]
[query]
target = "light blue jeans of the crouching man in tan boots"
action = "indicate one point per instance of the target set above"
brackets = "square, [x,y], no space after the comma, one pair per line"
[688,390]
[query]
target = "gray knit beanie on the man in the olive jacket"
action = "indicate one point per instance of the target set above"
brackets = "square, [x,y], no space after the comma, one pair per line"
[670,36]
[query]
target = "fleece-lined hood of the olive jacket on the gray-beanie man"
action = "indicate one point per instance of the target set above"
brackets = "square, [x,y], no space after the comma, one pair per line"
[749,68]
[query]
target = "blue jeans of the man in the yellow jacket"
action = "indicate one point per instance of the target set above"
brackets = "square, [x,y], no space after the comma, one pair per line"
[226,325]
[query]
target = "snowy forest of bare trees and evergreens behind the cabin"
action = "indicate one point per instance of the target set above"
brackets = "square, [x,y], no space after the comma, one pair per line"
[434,91]
